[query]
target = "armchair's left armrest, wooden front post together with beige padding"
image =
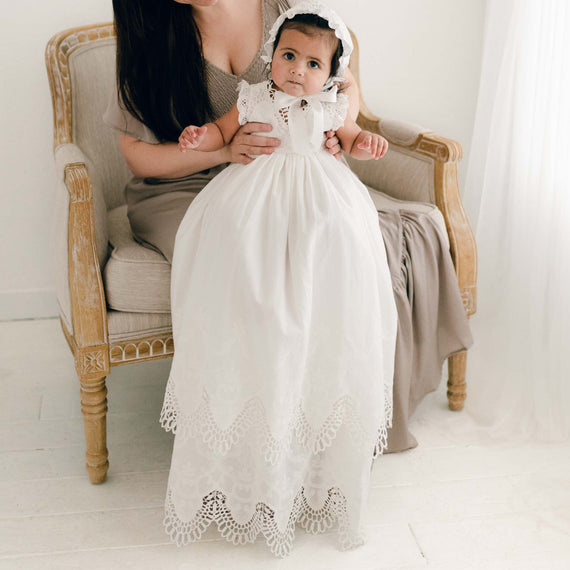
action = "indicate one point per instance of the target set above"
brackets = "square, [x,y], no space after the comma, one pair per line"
[85,286]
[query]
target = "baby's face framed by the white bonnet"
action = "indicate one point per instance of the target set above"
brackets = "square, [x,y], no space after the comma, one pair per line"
[301,64]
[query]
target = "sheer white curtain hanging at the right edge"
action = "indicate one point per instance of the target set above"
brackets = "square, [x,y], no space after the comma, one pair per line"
[518,198]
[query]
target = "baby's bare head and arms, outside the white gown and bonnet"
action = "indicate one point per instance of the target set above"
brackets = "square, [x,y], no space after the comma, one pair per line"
[305,58]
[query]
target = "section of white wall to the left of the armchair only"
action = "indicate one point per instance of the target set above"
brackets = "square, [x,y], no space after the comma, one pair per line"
[26,149]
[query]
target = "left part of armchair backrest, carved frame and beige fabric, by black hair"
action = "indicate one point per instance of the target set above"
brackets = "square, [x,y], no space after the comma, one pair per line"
[81,66]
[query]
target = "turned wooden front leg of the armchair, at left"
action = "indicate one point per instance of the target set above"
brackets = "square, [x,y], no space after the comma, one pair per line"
[94,409]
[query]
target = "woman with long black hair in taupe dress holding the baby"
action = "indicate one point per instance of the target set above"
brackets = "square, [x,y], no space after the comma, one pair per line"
[179,63]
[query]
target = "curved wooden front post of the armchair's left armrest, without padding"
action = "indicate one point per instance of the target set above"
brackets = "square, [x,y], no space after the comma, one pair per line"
[88,305]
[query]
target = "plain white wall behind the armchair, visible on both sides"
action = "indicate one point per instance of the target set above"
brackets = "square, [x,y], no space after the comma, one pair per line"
[420,63]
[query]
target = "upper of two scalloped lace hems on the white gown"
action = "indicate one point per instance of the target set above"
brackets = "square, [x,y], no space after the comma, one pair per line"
[203,424]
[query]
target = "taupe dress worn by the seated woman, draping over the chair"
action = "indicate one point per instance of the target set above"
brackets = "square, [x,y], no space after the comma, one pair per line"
[431,319]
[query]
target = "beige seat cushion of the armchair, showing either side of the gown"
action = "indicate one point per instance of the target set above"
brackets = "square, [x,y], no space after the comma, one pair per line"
[137,279]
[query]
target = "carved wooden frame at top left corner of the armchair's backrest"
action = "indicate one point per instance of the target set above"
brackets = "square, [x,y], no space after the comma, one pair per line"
[58,50]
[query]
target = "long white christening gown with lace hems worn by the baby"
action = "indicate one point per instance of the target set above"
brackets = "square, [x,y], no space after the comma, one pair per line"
[284,327]
